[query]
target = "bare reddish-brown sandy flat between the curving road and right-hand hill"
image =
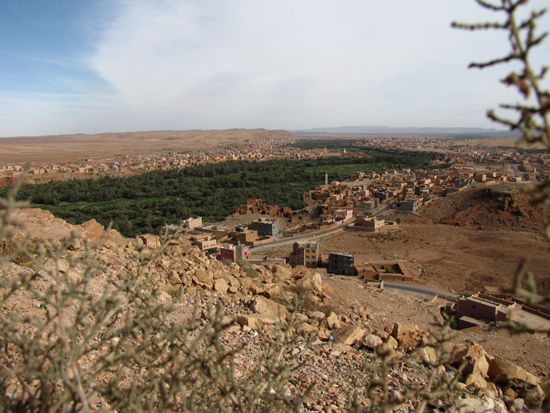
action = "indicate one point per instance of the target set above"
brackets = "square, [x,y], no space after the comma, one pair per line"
[445,256]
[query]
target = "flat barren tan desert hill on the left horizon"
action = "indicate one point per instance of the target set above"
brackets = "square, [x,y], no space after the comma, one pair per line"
[69,148]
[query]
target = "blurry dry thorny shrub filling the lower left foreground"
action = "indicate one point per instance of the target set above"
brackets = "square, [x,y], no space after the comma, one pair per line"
[117,348]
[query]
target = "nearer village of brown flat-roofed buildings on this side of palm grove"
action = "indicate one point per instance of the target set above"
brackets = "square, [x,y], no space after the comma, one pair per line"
[354,205]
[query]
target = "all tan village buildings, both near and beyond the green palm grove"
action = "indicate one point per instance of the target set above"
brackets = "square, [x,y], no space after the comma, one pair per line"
[355,204]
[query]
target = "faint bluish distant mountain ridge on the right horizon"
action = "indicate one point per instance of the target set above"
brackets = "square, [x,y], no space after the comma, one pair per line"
[390,130]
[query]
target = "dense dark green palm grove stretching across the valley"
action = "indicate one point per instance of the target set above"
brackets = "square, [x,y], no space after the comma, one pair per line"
[144,203]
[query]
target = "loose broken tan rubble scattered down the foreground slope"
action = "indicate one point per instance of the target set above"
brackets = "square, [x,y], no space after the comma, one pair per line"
[331,346]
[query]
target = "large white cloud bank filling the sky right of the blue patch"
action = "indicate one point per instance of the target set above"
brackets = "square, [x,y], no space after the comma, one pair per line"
[183,64]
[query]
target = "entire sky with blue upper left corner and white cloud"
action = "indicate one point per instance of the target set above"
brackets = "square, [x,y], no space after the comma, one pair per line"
[99,66]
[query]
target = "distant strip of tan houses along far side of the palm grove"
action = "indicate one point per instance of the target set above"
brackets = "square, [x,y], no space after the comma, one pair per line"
[458,153]
